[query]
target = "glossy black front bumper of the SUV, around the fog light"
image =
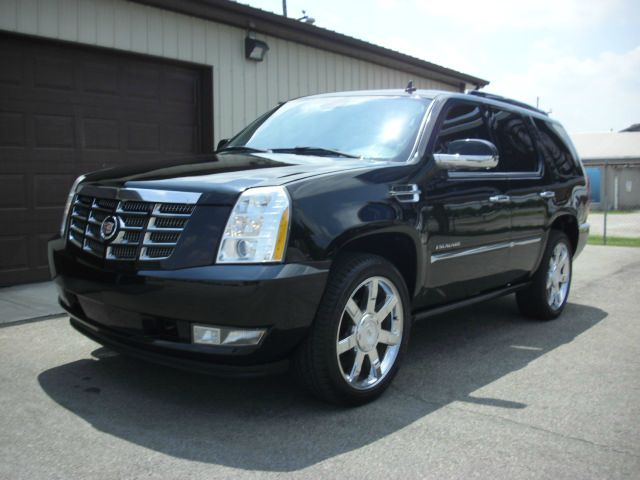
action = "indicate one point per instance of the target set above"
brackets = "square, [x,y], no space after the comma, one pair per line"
[149,313]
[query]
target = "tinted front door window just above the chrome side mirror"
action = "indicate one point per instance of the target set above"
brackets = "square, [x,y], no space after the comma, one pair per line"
[462,120]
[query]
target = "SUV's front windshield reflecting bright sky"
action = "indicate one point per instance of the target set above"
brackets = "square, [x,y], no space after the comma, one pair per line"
[376,127]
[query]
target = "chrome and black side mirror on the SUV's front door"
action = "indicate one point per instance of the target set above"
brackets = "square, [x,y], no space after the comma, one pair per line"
[470,154]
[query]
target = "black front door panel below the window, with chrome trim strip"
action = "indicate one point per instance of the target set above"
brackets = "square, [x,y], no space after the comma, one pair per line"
[468,238]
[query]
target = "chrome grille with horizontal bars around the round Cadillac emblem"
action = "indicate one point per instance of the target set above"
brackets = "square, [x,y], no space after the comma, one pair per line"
[147,230]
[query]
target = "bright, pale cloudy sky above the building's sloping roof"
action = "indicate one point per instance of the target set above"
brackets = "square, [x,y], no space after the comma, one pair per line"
[581,57]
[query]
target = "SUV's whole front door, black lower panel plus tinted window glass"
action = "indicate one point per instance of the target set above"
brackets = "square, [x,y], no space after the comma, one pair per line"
[468,219]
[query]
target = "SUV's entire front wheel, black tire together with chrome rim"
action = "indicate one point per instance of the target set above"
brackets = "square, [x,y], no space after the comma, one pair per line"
[350,329]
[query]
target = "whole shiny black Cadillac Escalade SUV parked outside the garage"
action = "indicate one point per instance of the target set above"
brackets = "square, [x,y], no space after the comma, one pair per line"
[318,234]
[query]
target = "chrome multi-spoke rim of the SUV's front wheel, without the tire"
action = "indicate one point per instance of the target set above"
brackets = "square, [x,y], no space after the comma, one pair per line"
[370,333]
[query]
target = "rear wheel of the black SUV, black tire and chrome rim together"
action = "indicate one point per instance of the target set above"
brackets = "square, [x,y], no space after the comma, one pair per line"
[547,295]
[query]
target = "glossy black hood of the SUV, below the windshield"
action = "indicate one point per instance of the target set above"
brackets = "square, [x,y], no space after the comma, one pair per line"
[222,178]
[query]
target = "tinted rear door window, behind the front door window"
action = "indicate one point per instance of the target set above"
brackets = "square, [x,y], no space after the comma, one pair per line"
[511,137]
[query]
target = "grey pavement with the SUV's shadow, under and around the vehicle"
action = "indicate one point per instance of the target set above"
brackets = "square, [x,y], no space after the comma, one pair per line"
[483,393]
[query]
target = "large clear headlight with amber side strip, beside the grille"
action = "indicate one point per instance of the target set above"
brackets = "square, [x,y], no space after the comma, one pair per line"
[257,228]
